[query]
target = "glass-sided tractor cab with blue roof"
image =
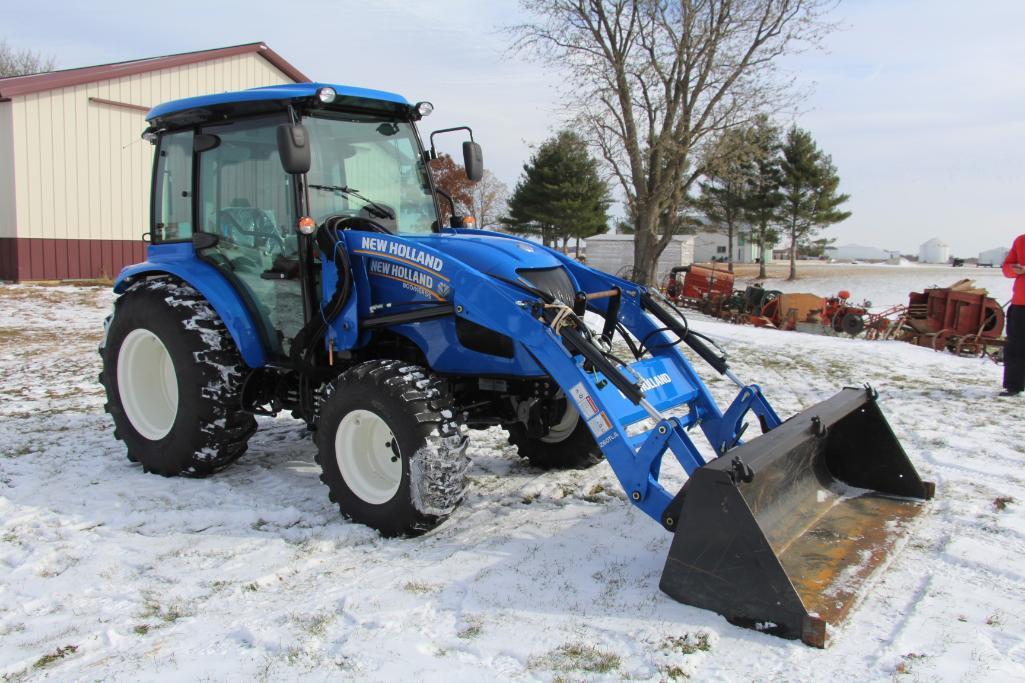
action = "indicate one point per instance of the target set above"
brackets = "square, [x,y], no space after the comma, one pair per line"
[237,174]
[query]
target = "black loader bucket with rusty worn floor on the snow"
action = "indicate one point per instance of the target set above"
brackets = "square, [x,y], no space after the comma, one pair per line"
[787,550]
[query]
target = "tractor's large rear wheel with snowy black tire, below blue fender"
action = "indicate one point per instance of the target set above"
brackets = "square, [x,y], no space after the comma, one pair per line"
[174,381]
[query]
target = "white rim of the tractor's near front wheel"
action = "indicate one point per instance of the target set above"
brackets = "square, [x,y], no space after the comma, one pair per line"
[365,459]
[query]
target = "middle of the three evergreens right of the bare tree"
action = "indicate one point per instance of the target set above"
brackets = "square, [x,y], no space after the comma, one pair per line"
[762,195]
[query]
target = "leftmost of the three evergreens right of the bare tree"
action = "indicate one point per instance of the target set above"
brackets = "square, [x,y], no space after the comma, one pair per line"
[723,193]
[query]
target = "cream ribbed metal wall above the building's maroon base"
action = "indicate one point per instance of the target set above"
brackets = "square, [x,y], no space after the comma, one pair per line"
[84,171]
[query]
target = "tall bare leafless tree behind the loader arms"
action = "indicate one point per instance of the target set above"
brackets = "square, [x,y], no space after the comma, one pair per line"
[655,82]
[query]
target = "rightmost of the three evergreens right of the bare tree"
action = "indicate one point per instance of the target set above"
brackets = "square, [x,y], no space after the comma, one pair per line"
[809,186]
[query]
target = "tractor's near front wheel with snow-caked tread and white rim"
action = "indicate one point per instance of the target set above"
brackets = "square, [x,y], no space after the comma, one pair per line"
[390,452]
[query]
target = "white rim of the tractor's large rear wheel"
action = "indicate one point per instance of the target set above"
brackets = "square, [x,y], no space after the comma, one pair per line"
[147,384]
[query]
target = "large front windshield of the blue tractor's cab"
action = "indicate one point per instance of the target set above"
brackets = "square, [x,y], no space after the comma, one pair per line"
[370,167]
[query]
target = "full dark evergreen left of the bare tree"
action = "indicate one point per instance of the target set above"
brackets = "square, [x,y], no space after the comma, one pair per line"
[560,194]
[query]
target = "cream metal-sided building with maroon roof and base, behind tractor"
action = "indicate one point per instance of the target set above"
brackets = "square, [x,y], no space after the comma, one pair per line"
[74,172]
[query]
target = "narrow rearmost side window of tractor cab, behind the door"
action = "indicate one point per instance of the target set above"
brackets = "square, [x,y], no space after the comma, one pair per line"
[173,192]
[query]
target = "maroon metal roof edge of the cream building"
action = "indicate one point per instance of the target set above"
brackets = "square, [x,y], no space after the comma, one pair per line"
[21,86]
